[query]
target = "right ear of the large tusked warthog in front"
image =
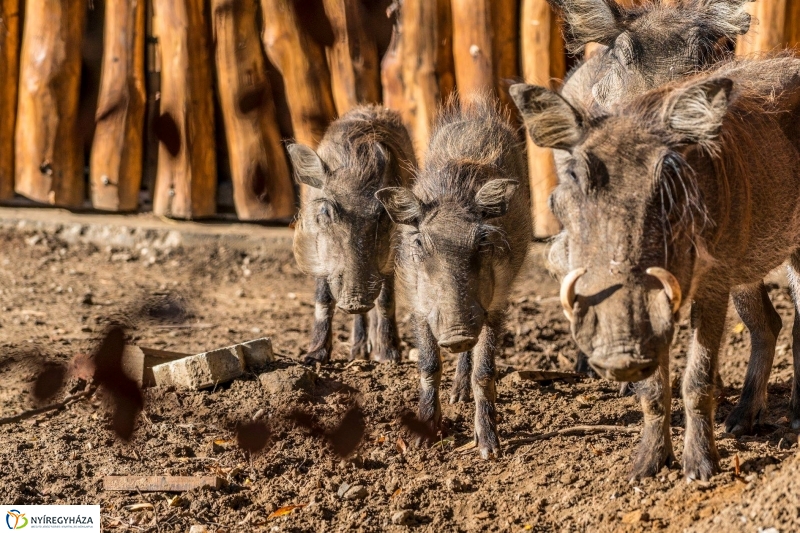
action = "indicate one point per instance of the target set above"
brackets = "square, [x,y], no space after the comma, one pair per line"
[695,114]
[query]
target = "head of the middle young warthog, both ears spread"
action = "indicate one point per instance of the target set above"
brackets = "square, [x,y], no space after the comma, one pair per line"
[449,251]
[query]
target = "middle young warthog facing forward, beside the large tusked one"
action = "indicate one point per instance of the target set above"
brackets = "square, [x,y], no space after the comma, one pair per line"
[465,230]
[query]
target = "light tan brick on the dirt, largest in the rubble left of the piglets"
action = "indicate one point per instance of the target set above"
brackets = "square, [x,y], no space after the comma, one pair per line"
[203,370]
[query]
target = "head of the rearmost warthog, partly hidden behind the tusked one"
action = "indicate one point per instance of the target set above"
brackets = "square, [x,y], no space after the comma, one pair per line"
[653,44]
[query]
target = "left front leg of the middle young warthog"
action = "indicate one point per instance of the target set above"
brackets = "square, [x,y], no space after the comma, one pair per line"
[430,375]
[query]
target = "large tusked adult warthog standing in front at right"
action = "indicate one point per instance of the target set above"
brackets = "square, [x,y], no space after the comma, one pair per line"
[668,199]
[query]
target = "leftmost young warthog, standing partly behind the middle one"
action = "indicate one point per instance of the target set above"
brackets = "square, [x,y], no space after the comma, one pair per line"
[343,235]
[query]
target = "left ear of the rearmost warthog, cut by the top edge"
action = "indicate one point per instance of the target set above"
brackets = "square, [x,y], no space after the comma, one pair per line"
[590,21]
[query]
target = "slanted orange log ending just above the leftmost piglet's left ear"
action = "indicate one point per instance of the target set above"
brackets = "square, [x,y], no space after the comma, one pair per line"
[301,62]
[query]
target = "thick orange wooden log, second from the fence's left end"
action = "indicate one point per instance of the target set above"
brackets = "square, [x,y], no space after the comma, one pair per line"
[47,148]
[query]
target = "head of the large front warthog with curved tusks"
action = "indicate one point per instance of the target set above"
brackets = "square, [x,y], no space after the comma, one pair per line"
[632,212]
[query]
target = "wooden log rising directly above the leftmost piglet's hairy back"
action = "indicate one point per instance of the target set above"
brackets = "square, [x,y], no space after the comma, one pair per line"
[353,57]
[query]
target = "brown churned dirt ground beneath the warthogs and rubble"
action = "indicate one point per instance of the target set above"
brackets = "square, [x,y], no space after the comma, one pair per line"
[56,301]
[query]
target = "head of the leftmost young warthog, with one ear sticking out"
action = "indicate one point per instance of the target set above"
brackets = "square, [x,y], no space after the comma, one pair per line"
[343,233]
